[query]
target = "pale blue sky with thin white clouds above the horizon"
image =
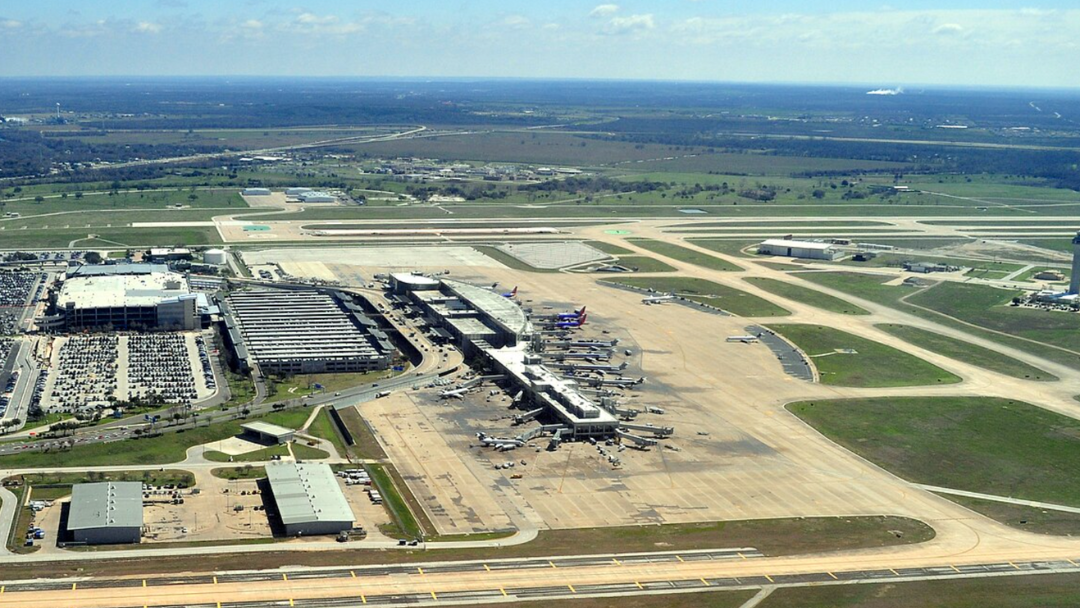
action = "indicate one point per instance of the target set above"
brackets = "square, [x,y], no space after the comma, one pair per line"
[943,43]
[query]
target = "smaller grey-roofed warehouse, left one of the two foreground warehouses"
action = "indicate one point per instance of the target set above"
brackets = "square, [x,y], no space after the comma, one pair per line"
[106,514]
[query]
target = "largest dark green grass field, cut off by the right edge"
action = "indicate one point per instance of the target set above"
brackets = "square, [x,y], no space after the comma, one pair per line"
[988,445]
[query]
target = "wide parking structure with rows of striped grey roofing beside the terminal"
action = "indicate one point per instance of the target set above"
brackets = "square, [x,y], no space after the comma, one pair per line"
[303,332]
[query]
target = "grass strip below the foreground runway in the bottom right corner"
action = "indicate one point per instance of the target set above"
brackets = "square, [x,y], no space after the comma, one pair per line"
[1043,591]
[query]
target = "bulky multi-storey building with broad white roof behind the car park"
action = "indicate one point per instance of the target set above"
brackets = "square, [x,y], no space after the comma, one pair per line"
[125,296]
